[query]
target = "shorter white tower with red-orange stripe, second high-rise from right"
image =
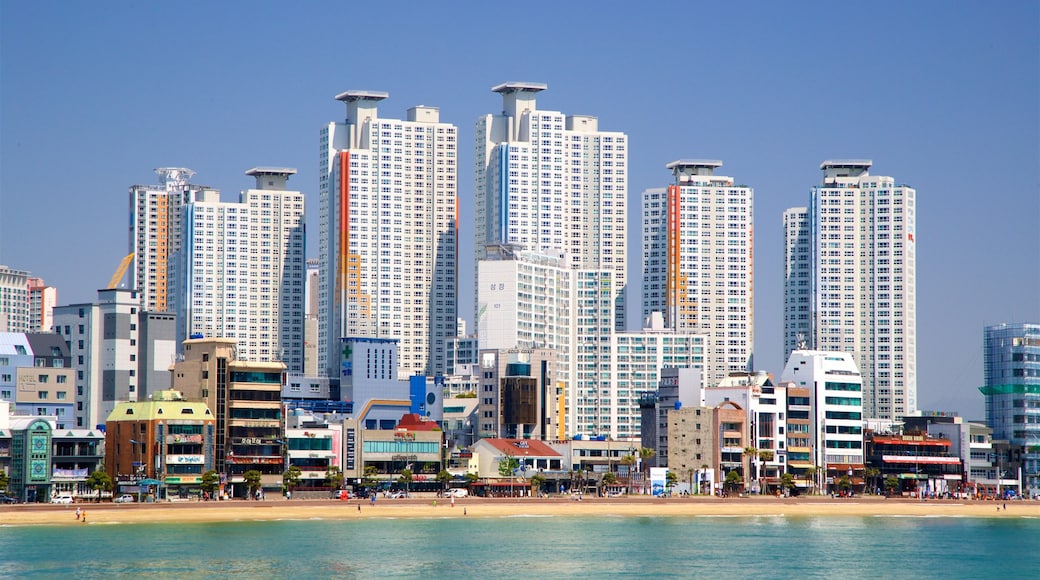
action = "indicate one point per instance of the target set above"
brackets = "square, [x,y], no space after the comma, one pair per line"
[698,258]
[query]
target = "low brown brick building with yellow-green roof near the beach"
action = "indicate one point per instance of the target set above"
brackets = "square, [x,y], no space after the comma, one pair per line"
[161,447]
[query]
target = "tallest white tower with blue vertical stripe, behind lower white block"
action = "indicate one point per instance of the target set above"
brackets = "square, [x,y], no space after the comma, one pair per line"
[553,183]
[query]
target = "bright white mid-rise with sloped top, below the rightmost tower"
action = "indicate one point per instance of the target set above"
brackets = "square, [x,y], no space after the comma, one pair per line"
[837,409]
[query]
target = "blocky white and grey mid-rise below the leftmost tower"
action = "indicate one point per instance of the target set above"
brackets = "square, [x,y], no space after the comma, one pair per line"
[119,352]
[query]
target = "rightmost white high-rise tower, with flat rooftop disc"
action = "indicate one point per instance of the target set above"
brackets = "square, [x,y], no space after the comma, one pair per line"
[859,235]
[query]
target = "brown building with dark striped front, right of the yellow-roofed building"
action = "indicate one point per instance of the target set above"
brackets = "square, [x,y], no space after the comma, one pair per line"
[245,397]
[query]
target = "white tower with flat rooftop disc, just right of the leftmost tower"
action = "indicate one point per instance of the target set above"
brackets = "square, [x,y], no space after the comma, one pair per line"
[244,270]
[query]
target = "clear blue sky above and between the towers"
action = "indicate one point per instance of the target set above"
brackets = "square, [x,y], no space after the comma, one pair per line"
[941,95]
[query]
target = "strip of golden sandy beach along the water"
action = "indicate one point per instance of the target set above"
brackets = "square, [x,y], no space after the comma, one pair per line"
[478,508]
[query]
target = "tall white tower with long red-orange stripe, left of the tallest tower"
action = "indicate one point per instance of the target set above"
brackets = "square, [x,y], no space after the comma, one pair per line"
[388,233]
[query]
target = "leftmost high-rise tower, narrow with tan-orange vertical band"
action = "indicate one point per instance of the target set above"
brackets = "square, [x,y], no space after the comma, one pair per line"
[157,214]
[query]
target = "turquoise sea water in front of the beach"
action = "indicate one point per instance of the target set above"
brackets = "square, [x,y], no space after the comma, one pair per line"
[537,547]
